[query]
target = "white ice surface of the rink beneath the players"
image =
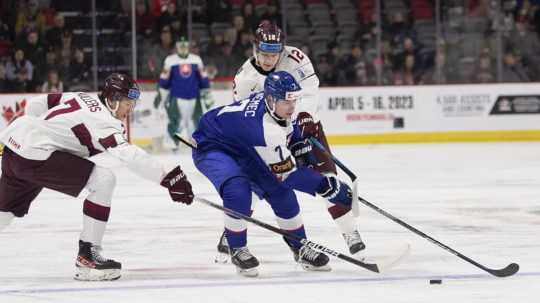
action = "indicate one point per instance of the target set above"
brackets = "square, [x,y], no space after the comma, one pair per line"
[481,199]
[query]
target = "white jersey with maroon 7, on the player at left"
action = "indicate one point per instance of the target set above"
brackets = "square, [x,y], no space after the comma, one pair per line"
[79,124]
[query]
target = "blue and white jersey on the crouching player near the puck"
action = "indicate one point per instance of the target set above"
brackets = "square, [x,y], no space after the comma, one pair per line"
[246,132]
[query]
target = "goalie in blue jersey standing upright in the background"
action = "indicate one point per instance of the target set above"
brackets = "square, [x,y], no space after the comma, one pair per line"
[182,82]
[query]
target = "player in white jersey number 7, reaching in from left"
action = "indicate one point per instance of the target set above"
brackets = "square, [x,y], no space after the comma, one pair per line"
[48,147]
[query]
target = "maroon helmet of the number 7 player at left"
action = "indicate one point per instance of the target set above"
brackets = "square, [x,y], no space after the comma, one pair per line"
[118,86]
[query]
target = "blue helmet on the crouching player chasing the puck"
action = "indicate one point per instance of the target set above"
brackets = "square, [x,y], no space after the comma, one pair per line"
[281,86]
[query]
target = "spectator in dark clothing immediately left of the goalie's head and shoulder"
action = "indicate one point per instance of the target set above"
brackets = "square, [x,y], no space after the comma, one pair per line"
[154,57]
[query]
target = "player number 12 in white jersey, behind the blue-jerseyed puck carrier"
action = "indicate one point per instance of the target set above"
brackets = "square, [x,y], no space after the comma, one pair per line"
[271,54]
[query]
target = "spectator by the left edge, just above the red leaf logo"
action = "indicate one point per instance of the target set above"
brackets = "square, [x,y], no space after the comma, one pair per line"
[19,72]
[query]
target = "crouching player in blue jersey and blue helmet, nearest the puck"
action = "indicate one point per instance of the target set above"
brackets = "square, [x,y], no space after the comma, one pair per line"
[247,146]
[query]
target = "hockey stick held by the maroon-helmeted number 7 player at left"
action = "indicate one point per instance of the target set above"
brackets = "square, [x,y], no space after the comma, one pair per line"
[321,248]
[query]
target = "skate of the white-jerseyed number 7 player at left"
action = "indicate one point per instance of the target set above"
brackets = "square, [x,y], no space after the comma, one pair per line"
[91,266]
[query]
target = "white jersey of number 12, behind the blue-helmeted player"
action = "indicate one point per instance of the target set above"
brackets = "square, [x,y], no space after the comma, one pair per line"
[250,79]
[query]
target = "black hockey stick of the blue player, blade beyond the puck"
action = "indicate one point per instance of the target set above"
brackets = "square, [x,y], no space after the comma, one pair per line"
[509,270]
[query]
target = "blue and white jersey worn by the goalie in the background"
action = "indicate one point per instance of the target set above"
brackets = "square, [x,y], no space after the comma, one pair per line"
[185,77]
